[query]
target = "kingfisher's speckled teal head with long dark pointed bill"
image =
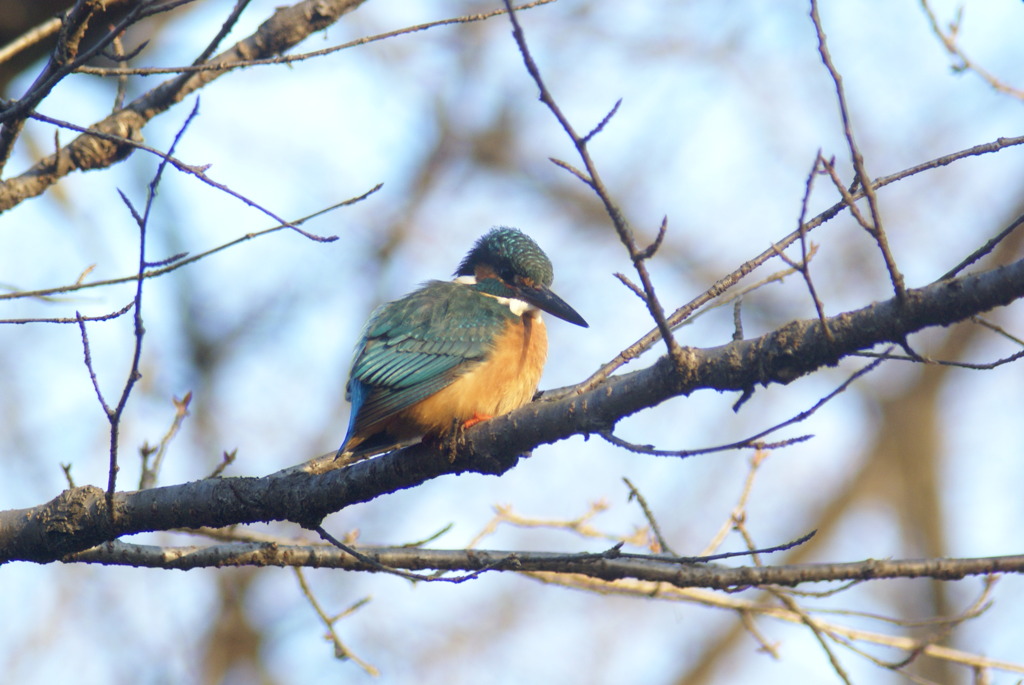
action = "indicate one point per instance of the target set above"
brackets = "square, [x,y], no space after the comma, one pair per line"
[506,263]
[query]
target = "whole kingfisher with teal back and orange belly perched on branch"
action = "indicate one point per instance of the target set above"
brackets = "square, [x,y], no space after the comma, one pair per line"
[454,354]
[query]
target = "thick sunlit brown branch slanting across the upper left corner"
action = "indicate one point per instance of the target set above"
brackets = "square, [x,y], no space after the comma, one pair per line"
[288,27]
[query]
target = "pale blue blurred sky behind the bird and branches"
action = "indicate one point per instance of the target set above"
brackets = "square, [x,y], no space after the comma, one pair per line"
[724,109]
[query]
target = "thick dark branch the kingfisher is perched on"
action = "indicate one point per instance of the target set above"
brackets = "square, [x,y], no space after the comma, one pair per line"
[78,519]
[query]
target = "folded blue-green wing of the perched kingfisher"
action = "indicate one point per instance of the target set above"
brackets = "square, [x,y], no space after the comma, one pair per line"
[416,347]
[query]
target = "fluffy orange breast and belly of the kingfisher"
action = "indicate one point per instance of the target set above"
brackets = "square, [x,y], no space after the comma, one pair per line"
[506,380]
